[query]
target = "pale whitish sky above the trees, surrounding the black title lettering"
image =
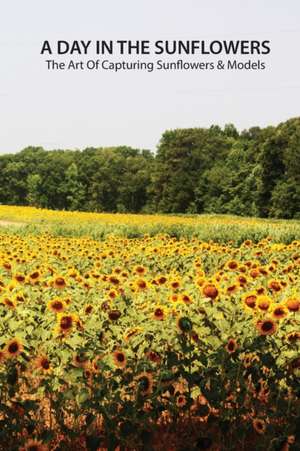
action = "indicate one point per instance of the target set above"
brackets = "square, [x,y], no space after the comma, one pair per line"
[78,109]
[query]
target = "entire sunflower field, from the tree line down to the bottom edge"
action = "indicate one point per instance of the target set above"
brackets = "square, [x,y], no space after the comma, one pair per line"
[148,341]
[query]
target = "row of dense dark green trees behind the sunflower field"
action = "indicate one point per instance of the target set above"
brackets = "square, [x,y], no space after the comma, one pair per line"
[255,172]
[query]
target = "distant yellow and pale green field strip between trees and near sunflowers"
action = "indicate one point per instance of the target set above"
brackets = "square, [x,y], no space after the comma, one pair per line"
[219,228]
